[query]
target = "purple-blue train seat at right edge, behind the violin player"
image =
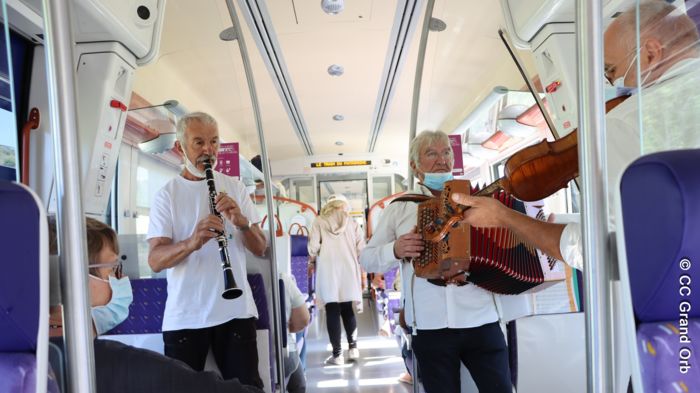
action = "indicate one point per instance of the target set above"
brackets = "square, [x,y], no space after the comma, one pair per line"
[660,228]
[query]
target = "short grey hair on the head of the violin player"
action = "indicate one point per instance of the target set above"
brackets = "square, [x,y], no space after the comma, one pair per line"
[658,19]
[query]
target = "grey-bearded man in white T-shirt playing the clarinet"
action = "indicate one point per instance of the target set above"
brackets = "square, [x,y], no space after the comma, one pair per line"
[180,235]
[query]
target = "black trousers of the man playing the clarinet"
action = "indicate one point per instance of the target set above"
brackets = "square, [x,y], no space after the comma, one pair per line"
[233,343]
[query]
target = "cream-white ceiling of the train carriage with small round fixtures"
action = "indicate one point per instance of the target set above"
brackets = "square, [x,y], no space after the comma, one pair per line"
[462,65]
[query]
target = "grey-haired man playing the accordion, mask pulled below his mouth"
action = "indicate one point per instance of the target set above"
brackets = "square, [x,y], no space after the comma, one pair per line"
[453,323]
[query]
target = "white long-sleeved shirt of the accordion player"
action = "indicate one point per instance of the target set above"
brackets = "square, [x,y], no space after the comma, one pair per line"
[436,307]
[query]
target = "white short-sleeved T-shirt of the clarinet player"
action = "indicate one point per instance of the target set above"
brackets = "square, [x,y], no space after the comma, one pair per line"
[195,284]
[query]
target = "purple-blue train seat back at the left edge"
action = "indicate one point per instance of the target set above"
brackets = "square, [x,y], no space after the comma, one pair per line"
[24,292]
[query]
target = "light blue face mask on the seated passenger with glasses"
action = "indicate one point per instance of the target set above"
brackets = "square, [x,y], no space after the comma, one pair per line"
[107,317]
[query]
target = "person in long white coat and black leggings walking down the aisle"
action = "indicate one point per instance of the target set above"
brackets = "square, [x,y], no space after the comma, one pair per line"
[335,242]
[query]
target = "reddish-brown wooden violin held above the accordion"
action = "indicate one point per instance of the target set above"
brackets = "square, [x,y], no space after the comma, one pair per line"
[540,170]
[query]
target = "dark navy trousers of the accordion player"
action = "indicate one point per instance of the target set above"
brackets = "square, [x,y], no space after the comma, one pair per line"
[481,349]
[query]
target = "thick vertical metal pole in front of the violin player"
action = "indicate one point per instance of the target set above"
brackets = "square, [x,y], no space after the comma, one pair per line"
[592,162]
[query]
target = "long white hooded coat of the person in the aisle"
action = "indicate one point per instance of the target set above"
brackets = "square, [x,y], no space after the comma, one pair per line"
[336,243]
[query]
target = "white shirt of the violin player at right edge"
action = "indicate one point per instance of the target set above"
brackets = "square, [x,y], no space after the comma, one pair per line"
[670,114]
